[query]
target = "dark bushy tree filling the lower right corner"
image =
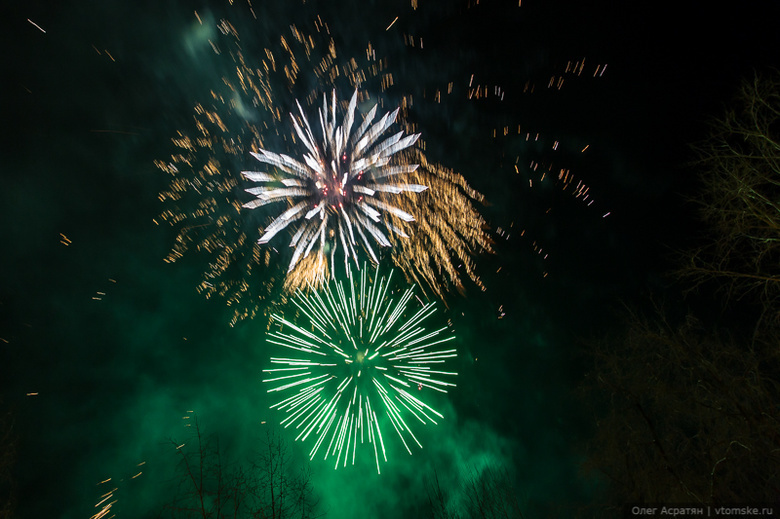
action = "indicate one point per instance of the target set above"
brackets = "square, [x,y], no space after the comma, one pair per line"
[692,416]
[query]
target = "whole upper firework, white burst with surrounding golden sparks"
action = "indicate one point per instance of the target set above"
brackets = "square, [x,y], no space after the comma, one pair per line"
[205,198]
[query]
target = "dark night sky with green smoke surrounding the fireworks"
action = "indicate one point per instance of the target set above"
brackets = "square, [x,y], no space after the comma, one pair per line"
[104,347]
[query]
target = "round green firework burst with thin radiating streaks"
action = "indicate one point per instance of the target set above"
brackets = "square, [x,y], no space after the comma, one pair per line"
[359,357]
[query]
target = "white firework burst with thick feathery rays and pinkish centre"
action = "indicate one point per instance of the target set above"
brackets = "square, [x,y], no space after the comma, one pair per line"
[338,192]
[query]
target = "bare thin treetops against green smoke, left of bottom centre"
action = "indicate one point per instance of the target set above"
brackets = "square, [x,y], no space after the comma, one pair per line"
[212,487]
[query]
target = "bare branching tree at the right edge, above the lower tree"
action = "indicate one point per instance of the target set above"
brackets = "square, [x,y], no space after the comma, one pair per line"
[739,167]
